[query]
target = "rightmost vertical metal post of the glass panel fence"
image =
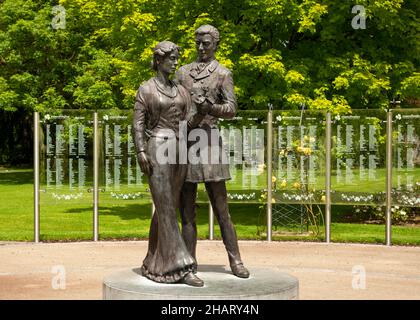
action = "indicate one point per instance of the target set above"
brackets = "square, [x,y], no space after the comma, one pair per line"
[388,217]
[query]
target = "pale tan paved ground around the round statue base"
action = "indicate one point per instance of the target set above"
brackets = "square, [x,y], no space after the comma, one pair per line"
[325,271]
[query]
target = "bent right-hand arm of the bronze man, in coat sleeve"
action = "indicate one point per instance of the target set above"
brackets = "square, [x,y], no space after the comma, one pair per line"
[227,109]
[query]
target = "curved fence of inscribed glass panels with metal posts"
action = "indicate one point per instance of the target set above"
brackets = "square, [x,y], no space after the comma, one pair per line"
[283,156]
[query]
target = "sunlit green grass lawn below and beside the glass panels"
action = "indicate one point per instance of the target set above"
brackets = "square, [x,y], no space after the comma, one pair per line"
[63,220]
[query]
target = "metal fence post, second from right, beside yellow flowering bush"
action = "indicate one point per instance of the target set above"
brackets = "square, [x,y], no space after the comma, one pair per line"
[328,178]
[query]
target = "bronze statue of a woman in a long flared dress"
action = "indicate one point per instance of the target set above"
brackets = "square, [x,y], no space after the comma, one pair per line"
[159,108]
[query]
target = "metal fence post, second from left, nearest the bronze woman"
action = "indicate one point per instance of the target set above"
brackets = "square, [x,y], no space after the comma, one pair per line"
[95,177]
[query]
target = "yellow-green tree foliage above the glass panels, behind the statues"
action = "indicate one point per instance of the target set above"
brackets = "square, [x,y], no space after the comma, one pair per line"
[286,52]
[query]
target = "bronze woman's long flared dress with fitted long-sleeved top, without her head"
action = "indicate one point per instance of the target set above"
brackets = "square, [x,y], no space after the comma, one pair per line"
[167,259]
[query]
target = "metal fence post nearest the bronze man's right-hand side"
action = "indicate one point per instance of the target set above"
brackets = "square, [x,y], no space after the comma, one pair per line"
[269,170]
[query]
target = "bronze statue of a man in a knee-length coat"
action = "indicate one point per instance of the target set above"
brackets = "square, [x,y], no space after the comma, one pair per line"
[208,76]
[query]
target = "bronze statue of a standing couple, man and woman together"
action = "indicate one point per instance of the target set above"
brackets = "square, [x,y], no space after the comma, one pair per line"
[200,94]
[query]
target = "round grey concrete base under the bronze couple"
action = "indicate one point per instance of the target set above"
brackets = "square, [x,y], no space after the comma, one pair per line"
[219,284]
